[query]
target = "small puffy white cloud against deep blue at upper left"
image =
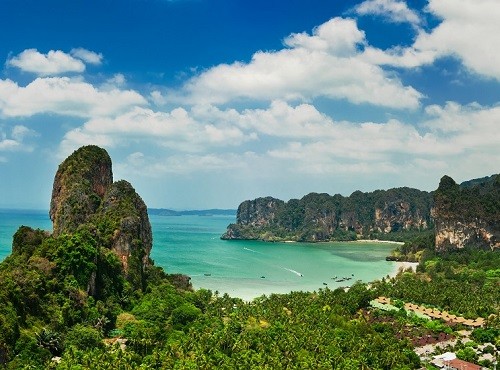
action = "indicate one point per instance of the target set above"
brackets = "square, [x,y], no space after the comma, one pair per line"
[55,62]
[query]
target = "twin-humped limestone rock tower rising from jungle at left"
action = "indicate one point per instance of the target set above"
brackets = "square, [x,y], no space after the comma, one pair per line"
[84,196]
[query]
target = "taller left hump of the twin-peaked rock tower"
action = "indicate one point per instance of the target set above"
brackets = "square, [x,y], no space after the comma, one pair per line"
[79,186]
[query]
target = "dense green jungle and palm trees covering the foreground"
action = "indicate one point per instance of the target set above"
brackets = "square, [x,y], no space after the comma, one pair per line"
[48,320]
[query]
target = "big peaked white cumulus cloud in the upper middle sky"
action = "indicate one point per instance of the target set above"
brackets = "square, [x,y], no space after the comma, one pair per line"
[327,63]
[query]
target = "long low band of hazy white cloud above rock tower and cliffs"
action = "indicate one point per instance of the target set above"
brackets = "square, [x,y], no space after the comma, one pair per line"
[295,138]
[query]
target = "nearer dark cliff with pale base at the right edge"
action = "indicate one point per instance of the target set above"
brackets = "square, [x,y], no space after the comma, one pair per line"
[467,215]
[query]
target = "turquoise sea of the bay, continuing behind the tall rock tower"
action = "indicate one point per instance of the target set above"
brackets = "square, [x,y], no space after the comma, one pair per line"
[246,269]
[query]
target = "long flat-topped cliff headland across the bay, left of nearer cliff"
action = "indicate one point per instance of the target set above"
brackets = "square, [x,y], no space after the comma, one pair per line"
[321,217]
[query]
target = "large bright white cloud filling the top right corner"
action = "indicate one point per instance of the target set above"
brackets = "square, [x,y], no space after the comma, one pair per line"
[467,31]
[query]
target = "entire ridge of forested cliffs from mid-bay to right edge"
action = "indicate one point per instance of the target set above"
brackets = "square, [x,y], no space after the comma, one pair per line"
[459,215]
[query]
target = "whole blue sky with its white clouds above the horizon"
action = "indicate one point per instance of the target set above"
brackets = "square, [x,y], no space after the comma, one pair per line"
[203,104]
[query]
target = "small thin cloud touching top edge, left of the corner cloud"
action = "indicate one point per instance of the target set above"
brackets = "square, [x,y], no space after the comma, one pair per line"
[394,10]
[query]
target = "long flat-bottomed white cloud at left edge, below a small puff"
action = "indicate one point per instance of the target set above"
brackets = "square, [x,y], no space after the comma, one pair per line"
[64,96]
